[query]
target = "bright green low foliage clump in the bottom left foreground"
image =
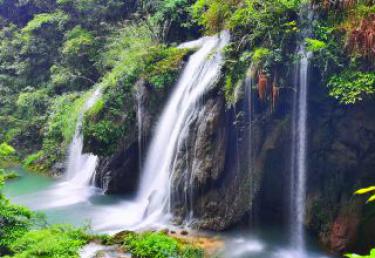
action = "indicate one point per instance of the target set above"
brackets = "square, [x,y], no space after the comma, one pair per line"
[58,241]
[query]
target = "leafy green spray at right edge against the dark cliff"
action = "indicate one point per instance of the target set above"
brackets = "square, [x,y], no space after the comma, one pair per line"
[350,87]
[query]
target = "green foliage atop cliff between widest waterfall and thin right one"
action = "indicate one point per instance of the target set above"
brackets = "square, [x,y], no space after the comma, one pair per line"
[263,34]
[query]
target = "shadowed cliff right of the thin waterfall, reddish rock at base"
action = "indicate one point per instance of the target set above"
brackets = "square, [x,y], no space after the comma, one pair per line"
[341,160]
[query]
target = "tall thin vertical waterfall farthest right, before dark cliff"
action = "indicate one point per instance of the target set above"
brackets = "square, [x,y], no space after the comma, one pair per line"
[300,144]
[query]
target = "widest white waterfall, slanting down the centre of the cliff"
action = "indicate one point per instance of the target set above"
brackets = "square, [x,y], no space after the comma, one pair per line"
[201,73]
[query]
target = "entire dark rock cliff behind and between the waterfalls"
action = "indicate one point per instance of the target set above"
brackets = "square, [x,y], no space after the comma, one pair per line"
[228,169]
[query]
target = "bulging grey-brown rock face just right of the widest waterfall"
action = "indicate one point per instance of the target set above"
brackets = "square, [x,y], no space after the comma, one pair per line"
[219,170]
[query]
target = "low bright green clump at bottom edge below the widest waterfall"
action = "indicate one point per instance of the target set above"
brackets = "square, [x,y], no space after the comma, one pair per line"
[159,245]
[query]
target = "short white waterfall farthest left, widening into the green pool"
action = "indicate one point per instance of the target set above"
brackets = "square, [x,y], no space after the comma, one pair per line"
[81,167]
